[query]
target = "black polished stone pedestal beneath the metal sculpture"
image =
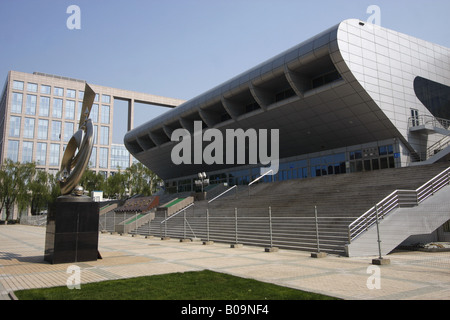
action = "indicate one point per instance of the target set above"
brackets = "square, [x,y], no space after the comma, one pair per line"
[72,230]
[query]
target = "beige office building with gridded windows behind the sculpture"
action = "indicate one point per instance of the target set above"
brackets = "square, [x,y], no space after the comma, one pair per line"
[39,113]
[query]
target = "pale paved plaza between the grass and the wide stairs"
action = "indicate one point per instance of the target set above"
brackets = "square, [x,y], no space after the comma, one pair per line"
[410,276]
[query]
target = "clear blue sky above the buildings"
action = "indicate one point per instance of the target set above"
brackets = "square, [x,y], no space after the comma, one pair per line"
[181,48]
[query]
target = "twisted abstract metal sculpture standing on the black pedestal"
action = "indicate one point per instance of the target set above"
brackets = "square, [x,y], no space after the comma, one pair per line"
[73,163]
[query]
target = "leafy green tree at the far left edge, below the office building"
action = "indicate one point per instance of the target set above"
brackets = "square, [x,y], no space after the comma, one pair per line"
[14,181]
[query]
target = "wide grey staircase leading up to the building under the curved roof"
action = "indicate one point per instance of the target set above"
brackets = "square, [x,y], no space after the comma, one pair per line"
[339,200]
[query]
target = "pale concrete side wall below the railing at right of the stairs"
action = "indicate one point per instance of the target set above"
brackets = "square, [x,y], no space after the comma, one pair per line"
[402,223]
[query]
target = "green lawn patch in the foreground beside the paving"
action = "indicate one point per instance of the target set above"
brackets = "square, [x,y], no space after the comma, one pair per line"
[203,285]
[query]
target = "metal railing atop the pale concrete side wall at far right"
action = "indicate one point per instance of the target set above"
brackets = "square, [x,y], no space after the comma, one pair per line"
[394,201]
